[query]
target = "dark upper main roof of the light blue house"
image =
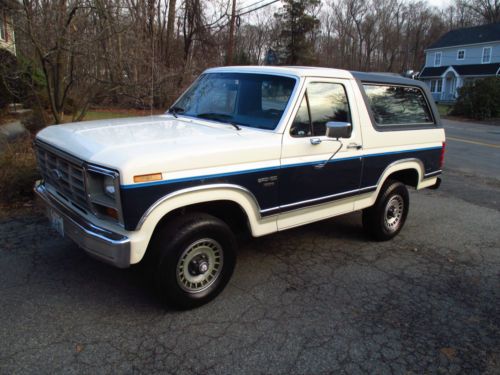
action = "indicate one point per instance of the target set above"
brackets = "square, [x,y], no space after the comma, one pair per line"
[469,35]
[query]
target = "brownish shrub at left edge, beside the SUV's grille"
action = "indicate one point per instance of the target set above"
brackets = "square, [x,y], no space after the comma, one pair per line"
[17,171]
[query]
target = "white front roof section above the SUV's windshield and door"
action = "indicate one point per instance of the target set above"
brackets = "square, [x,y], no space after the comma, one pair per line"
[297,71]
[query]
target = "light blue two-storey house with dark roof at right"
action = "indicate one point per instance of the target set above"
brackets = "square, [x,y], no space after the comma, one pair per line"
[460,56]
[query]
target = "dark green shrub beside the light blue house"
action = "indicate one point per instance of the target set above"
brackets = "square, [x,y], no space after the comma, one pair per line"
[479,99]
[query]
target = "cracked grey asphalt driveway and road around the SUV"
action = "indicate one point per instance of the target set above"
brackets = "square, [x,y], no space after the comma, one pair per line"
[317,299]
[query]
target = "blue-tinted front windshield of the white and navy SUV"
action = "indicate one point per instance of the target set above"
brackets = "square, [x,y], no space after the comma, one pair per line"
[255,100]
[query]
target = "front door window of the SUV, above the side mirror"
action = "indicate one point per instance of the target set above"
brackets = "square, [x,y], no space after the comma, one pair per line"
[322,103]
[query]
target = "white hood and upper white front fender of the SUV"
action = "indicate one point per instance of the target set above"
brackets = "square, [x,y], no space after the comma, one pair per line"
[143,145]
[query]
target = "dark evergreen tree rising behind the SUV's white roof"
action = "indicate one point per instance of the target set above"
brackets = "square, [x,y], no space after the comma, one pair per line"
[298,27]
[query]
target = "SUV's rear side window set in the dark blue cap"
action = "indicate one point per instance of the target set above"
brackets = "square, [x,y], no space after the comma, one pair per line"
[398,105]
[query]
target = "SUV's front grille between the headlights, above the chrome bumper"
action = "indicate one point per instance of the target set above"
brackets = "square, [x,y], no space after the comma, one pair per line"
[65,176]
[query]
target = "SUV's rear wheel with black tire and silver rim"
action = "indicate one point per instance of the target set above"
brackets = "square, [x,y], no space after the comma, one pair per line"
[385,219]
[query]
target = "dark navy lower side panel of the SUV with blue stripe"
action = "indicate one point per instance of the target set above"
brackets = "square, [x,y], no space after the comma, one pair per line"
[289,185]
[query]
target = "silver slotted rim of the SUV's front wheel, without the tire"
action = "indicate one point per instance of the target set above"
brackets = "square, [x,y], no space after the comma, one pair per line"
[199,265]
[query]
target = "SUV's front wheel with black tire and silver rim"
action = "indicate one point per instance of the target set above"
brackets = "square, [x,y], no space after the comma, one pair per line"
[194,257]
